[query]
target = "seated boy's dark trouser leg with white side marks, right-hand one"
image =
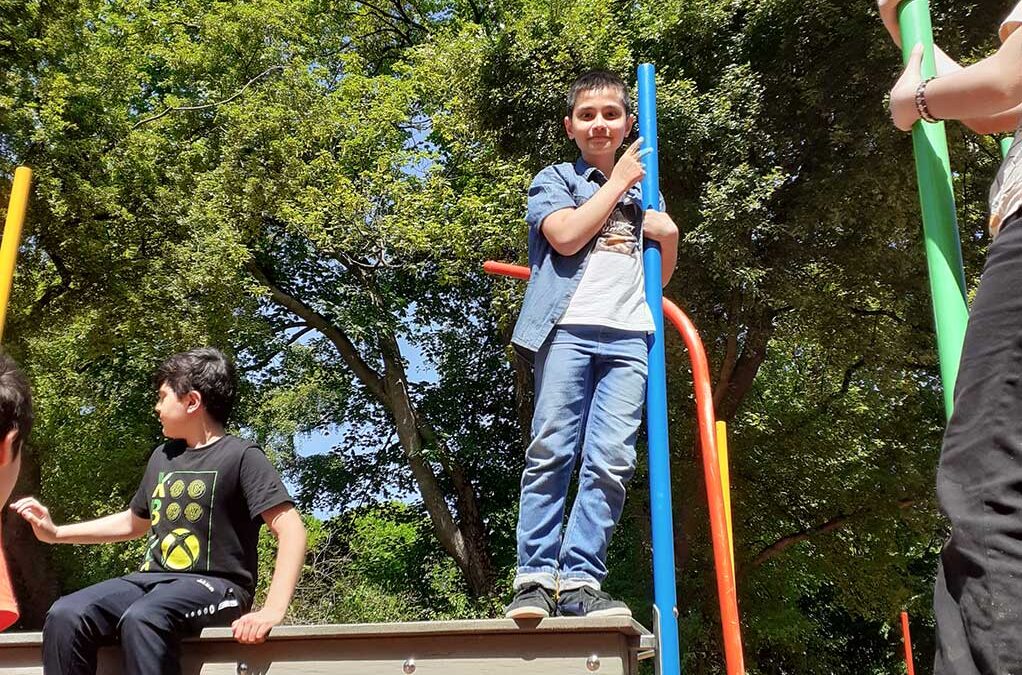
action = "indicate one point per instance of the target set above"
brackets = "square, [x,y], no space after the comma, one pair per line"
[174,607]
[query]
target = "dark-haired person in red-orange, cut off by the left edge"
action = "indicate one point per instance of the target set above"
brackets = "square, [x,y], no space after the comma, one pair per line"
[16,424]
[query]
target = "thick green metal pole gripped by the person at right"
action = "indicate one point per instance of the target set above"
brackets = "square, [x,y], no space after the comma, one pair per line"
[944,249]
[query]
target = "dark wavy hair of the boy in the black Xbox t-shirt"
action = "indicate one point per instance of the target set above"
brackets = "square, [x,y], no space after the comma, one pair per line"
[206,371]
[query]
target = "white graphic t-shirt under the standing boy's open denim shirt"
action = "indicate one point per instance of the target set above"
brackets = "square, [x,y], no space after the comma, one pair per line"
[611,293]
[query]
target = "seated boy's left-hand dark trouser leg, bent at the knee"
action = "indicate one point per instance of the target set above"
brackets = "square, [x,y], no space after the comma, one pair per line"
[78,624]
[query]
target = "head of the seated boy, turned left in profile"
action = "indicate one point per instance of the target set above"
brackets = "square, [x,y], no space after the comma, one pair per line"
[201,382]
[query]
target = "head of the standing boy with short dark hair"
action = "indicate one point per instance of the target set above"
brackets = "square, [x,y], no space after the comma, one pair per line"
[599,114]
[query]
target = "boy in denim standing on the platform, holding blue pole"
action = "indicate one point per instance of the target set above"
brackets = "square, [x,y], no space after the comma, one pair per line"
[586,320]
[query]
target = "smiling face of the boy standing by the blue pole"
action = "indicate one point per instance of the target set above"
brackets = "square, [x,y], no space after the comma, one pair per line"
[598,124]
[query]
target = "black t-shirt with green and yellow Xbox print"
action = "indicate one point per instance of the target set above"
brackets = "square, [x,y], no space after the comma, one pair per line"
[205,507]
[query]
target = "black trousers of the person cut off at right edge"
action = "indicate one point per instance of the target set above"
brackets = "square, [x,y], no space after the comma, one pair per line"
[979,597]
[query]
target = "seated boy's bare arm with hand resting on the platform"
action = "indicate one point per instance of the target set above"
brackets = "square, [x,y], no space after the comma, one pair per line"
[286,524]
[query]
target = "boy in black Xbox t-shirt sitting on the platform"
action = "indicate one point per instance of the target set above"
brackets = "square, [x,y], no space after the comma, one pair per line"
[203,501]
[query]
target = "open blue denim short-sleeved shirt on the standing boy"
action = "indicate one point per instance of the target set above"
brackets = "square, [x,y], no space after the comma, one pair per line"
[555,278]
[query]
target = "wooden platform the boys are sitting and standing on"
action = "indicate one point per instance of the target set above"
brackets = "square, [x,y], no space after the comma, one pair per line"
[603,647]
